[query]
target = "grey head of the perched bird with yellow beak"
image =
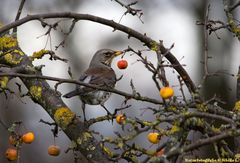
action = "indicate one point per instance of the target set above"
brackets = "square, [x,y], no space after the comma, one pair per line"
[104,56]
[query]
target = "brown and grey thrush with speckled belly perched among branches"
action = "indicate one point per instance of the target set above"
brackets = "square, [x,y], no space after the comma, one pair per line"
[99,73]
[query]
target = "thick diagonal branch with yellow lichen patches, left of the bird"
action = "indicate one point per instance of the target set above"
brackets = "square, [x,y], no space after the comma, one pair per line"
[41,93]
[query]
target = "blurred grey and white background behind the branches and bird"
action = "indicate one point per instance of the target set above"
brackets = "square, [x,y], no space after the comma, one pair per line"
[171,21]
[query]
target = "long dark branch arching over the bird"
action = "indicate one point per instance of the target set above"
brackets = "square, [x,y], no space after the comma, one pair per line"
[151,44]
